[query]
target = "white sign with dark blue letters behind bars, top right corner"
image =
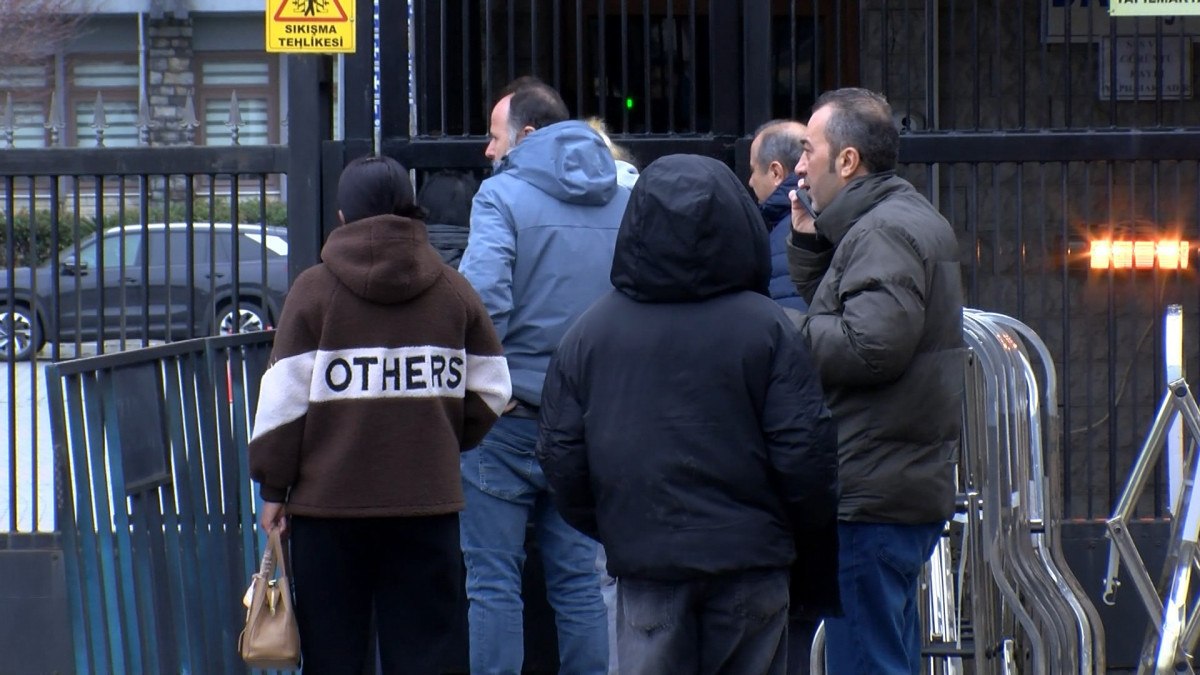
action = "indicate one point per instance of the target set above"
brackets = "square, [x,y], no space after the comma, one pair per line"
[1090,22]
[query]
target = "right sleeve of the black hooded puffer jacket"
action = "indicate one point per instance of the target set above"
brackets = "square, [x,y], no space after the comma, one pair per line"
[801,435]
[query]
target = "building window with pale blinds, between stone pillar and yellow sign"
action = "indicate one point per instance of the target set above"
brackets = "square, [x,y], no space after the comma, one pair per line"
[253,79]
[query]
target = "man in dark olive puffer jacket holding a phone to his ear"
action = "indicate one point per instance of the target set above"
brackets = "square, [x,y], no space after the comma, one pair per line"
[880,270]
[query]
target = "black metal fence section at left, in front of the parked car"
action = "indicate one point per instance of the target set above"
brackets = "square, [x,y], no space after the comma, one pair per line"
[112,249]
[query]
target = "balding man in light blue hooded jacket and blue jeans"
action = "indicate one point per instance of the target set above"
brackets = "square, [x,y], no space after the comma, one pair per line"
[543,232]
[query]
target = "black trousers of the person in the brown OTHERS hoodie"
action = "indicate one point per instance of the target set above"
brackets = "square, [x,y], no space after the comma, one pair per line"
[404,572]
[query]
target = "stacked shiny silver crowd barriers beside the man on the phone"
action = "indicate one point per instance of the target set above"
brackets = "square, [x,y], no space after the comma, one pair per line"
[998,590]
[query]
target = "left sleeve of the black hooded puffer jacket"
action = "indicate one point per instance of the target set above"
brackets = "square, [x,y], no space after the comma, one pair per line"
[562,444]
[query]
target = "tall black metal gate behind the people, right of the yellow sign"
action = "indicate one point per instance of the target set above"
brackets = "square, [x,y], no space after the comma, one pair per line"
[1035,128]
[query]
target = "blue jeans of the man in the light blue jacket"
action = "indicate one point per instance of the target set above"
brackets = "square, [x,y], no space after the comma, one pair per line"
[506,489]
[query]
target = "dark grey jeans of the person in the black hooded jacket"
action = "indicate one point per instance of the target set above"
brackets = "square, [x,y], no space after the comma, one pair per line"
[733,623]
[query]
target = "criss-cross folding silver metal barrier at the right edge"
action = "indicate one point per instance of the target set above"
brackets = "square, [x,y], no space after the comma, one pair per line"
[1174,631]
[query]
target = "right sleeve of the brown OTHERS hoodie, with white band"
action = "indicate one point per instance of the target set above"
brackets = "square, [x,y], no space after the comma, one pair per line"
[489,386]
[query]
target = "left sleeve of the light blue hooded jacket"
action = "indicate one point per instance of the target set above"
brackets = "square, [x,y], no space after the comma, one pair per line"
[491,252]
